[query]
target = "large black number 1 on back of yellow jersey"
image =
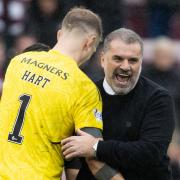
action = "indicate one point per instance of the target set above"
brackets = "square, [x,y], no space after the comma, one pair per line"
[15,136]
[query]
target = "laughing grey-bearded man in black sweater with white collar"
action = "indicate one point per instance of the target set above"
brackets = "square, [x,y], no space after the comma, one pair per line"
[138,116]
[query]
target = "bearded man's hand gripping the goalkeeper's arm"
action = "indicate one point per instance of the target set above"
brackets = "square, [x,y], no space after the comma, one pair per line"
[78,146]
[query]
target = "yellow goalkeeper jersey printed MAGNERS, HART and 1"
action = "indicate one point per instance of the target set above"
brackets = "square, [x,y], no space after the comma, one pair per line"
[45,98]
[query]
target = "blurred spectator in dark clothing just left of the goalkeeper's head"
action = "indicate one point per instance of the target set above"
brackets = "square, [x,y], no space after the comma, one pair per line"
[43,19]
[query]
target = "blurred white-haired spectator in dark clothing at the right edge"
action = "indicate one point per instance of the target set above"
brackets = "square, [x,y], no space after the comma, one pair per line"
[164,71]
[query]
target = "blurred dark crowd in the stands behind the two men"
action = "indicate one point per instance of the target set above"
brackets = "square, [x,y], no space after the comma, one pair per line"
[25,22]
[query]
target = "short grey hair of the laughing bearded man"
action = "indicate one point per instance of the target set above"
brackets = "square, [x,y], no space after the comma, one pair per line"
[126,35]
